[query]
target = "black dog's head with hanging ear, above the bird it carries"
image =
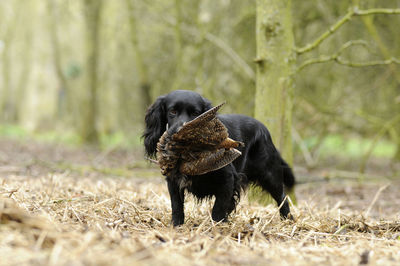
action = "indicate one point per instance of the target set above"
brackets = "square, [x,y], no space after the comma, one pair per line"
[171,111]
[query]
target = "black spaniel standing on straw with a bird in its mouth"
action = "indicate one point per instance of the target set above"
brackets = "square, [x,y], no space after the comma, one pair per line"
[259,164]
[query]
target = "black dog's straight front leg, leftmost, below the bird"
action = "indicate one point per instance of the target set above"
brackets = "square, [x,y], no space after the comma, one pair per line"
[177,200]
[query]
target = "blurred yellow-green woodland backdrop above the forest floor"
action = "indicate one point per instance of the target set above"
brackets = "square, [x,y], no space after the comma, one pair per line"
[86,70]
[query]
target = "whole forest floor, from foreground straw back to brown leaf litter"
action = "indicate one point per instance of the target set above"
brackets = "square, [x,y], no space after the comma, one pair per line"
[62,205]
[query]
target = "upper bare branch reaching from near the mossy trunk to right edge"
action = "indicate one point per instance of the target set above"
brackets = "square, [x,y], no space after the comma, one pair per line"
[346,18]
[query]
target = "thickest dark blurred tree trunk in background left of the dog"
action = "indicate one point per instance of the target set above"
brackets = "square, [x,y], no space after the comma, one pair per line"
[92,16]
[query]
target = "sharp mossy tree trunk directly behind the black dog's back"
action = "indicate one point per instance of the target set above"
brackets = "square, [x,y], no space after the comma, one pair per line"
[275,61]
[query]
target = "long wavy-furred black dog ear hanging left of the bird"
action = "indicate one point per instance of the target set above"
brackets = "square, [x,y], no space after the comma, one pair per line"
[155,125]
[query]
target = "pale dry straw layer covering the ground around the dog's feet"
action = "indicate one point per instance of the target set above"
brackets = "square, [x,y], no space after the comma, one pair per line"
[65,220]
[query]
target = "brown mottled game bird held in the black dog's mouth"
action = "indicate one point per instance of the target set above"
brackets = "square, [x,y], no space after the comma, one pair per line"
[199,146]
